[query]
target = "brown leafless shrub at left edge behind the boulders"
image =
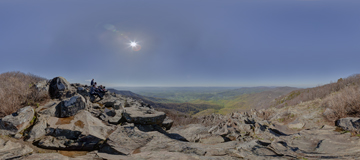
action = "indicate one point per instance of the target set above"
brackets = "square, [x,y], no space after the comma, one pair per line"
[17,90]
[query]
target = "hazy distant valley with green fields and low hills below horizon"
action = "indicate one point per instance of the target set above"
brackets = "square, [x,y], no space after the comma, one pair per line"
[199,101]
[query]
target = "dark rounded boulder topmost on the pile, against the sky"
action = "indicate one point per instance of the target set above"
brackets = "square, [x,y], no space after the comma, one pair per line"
[59,87]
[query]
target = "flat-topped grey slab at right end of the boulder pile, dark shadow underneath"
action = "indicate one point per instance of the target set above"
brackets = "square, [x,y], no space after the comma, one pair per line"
[143,115]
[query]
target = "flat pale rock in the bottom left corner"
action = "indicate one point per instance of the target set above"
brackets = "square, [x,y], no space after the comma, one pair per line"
[13,150]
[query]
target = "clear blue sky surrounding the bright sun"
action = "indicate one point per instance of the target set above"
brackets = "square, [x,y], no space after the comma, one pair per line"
[300,43]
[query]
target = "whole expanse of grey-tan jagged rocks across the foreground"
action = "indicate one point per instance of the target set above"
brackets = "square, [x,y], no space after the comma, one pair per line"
[119,127]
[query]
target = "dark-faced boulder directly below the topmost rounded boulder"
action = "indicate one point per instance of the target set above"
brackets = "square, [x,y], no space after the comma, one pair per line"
[71,106]
